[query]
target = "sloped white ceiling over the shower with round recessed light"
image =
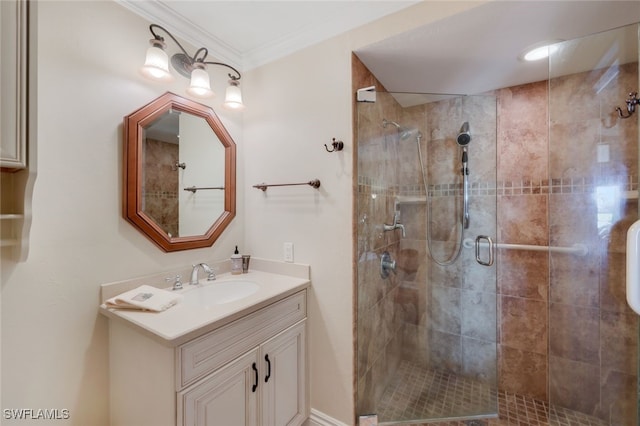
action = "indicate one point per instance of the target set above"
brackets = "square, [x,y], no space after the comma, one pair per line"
[478,50]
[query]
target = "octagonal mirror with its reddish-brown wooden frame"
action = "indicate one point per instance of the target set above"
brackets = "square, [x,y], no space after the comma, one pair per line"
[179,186]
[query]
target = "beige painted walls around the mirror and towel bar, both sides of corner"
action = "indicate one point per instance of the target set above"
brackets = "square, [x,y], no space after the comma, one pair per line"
[54,342]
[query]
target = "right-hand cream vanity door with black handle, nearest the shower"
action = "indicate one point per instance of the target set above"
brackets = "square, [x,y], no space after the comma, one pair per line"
[284,363]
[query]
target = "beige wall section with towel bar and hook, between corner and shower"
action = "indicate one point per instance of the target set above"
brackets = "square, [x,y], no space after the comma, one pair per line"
[297,105]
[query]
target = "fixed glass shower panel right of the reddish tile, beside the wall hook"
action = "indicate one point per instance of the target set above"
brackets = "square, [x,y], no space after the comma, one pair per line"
[593,166]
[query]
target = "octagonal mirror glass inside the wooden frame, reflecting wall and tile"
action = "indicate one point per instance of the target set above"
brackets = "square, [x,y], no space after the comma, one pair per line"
[176,162]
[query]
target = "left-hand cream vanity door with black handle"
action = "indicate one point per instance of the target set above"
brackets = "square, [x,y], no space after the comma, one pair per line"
[227,397]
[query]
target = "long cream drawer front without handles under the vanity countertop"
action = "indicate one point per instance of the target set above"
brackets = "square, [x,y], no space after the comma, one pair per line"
[201,356]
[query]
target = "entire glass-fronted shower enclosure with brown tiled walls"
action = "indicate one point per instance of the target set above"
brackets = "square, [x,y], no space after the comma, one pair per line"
[527,303]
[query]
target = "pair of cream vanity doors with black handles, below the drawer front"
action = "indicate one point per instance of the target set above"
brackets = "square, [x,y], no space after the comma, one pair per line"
[263,387]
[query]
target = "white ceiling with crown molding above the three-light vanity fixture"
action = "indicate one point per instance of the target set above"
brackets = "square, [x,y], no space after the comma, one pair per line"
[247,34]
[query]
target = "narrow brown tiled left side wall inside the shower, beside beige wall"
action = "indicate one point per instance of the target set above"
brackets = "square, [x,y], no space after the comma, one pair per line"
[379,319]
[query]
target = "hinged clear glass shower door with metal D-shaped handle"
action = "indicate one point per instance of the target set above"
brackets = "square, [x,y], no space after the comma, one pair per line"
[426,333]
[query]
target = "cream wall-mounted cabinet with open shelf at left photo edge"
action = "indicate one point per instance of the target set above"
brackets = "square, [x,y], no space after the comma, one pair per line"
[18,95]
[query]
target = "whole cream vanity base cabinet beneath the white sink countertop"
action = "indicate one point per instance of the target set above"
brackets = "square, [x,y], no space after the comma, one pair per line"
[249,372]
